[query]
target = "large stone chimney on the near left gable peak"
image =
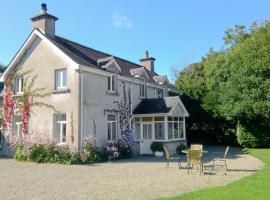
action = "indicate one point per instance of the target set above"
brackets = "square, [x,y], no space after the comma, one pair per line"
[45,22]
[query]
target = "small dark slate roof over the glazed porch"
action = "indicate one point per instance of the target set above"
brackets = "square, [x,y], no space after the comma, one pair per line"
[159,105]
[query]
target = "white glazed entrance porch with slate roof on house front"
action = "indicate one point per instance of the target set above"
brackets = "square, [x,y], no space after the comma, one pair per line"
[160,120]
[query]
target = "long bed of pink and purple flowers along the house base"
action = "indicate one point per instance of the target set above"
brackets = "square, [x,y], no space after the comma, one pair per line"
[42,149]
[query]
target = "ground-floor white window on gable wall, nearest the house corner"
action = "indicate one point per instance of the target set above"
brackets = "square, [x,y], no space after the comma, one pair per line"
[60,127]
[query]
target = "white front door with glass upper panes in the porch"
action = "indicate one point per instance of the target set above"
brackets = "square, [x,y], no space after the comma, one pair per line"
[146,138]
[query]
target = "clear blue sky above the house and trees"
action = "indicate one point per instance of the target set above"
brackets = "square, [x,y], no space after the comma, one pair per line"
[175,32]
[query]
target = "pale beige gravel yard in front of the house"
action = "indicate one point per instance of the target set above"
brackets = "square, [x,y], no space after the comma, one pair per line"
[139,178]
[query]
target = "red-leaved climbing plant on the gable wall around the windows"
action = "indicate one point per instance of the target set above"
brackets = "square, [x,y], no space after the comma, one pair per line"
[23,103]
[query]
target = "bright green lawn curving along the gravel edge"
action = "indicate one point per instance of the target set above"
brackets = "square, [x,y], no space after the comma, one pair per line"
[256,186]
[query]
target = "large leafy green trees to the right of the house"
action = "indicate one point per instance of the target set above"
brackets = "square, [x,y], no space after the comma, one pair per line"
[232,85]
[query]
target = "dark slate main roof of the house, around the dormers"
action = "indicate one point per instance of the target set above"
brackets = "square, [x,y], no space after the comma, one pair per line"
[89,57]
